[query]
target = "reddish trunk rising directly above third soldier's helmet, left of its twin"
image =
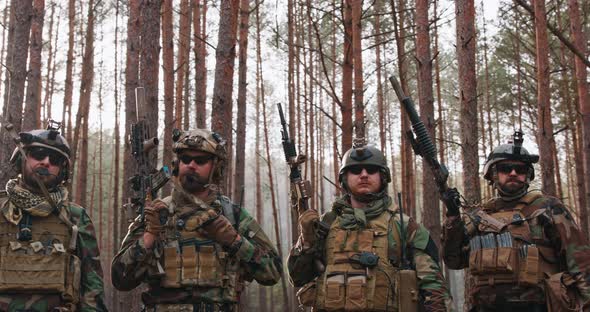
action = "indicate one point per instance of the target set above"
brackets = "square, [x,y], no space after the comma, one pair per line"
[346,108]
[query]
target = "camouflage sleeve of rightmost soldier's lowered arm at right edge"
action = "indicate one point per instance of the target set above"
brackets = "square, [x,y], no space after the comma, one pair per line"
[572,245]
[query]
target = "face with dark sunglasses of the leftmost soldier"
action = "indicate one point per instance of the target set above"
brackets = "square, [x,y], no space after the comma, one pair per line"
[45,164]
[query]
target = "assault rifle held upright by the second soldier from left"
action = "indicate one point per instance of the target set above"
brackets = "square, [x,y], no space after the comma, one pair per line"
[147,181]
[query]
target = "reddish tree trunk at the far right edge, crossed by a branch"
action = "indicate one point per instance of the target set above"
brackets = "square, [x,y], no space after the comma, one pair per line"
[583,100]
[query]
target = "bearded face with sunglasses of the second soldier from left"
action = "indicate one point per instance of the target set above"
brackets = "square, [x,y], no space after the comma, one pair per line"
[194,168]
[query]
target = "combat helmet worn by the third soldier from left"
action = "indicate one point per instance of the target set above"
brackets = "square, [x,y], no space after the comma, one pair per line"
[364,154]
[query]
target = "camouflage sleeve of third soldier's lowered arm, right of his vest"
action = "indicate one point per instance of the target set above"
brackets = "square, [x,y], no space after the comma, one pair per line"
[434,292]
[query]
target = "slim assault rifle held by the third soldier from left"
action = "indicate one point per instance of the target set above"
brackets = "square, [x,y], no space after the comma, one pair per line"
[301,189]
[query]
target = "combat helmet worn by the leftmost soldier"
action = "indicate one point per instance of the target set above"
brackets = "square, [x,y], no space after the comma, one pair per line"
[49,138]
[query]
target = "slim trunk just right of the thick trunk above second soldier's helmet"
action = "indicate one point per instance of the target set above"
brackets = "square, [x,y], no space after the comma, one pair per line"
[242,89]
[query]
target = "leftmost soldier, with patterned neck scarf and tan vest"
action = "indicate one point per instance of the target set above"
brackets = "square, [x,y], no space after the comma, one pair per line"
[49,258]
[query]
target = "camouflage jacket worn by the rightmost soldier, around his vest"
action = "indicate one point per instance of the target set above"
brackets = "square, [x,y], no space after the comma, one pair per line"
[552,227]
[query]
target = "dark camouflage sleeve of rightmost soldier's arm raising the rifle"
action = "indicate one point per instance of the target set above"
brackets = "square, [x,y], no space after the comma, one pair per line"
[455,251]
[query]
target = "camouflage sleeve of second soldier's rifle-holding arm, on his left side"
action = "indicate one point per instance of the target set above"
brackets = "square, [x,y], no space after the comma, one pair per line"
[131,264]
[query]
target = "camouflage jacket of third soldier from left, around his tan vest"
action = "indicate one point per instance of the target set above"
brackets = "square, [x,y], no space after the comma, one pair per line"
[421,252]
